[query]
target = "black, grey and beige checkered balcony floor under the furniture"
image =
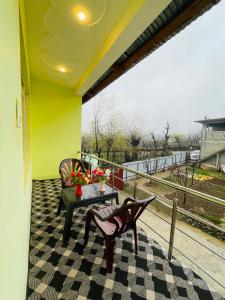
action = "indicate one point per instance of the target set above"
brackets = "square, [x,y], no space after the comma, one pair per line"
[56,272]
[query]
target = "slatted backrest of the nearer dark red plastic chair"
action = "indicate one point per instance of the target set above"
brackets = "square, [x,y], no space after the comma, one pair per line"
[129,213]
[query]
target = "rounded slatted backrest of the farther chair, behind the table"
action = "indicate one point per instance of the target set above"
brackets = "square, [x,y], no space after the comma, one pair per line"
[66,167]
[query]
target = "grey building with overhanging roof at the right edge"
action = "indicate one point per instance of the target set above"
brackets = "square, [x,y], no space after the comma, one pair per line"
[213,142]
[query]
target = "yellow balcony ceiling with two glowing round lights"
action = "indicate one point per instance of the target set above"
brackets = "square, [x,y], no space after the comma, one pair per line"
[73,42]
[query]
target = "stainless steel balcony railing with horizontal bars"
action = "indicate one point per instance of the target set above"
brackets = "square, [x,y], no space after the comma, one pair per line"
[175,209]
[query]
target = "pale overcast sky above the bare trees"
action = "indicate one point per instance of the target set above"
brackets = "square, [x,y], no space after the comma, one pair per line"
[182,81]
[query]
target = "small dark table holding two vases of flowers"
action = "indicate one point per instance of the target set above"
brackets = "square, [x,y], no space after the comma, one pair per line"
[91,195]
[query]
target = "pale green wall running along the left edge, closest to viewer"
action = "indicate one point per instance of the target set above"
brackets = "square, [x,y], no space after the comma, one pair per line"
[14,200]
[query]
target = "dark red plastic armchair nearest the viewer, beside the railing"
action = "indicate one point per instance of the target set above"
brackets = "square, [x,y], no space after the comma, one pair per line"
[113,220]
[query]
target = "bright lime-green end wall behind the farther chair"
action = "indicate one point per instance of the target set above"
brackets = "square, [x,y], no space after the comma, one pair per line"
[55,127]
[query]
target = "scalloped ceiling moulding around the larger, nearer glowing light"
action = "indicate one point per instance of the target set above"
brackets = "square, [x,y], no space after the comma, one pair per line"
[69,22]
